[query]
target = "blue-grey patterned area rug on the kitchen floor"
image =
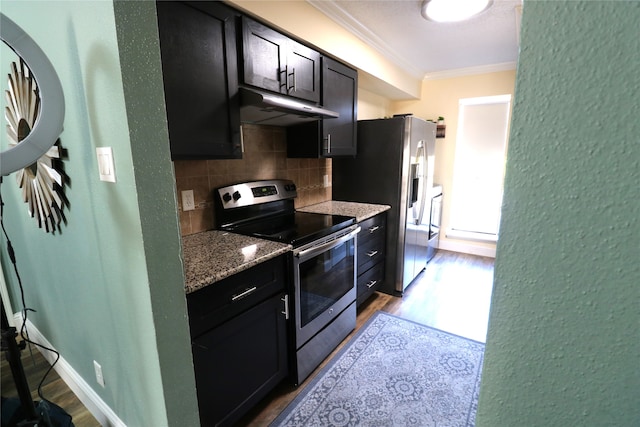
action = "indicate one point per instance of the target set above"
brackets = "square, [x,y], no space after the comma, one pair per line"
[393,372]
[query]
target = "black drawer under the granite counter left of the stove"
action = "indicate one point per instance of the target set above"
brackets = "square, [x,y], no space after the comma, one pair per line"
[218,302]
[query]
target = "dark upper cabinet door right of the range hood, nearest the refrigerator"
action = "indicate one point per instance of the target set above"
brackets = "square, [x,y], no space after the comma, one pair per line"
[339,93]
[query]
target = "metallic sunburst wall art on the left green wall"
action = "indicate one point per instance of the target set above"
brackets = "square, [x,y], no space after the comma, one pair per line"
[40,182]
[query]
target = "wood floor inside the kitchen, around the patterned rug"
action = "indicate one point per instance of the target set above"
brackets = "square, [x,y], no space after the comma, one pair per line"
[453,294]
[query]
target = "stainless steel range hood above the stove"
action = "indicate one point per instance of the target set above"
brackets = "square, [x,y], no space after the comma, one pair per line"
[259,107]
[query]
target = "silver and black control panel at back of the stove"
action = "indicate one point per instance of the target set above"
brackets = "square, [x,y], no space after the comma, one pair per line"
[255,192]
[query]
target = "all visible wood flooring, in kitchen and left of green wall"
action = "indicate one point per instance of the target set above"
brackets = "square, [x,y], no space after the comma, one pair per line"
[453,294]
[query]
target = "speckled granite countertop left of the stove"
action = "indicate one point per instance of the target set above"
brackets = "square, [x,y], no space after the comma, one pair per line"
[211,256]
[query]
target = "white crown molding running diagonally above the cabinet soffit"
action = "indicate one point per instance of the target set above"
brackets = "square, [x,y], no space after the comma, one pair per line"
[351,24]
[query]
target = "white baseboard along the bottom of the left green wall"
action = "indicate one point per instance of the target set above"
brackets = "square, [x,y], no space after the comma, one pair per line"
[89,398]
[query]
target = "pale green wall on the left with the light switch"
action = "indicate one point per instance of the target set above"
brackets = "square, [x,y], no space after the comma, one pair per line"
[109,286]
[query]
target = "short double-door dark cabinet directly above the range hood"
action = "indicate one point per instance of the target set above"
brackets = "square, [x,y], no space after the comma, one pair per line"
[277,63]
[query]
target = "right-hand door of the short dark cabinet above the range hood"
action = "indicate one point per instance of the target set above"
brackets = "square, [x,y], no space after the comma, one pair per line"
[303,72]
